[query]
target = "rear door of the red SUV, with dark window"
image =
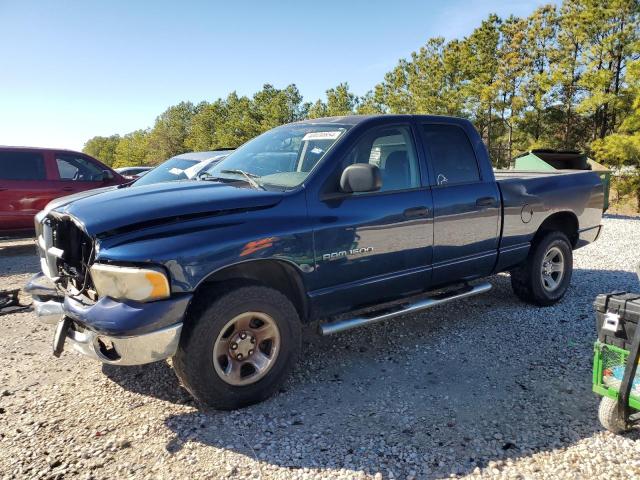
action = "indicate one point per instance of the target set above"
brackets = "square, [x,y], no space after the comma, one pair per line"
[24,189]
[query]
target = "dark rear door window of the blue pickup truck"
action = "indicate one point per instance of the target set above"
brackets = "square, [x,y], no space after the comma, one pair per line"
[452,156]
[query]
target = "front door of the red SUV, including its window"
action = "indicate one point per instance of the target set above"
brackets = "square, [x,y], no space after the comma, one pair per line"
[76,174]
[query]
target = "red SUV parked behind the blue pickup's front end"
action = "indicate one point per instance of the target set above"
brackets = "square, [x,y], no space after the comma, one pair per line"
[32,177]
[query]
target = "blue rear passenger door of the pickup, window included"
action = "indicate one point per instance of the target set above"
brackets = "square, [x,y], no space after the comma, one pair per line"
[466,206]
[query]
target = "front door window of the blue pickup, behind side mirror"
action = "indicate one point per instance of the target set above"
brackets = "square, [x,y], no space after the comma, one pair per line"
[391,149]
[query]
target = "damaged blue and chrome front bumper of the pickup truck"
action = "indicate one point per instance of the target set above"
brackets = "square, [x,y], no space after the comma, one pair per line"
[113,332]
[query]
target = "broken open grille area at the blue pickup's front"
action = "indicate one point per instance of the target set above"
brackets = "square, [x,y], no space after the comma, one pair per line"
[65,253]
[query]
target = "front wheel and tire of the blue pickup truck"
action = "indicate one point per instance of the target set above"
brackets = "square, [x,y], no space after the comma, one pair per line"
[221,381]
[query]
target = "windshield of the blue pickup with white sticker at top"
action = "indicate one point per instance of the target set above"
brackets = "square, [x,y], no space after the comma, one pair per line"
[282,157]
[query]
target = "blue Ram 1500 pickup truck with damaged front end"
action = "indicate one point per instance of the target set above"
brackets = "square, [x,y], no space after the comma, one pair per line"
[342,221]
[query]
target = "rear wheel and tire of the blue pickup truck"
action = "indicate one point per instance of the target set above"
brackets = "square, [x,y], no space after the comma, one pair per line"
[533,282]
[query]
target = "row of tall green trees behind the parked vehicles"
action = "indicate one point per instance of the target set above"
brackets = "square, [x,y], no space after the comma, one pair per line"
[565,77]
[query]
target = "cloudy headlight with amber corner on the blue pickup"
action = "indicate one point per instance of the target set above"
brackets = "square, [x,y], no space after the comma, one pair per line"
[130,283]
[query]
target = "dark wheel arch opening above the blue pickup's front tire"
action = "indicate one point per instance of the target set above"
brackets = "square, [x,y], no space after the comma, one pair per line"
[281,275]
